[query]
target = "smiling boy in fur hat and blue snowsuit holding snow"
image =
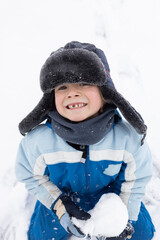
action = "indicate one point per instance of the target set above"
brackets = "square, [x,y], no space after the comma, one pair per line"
[85,149]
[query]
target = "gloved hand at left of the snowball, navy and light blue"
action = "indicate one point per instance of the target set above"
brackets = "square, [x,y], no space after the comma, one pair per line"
[65,209]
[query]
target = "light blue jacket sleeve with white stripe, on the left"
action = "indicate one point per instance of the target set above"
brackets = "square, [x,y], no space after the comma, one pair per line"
[31,169]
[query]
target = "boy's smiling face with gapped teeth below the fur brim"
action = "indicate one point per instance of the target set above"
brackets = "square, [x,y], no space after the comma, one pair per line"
[78,102]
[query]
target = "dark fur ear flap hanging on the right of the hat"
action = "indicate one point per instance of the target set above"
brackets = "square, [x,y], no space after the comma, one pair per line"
[130,114]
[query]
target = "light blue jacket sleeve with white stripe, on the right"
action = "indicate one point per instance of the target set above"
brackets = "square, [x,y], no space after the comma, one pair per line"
[134,175]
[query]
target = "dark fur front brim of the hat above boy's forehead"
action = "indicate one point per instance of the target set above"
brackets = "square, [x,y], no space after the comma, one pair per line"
[72,66]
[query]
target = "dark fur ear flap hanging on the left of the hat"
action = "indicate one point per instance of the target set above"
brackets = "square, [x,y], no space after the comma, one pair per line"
[38,114]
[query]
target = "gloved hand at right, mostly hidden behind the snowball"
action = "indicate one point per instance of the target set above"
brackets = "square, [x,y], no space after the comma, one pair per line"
[126,234]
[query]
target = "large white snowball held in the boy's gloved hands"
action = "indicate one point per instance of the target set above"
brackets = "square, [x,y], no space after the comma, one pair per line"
[109,217]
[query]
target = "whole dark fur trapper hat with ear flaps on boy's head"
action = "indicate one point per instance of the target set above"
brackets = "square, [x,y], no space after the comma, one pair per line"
[73,63]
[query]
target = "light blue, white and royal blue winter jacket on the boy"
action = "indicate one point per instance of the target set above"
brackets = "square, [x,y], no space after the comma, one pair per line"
[49,166]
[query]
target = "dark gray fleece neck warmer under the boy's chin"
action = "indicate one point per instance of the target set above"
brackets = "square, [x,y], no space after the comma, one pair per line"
[86,132]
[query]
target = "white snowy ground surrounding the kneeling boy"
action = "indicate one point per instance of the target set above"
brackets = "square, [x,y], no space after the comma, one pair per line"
[129,33]
